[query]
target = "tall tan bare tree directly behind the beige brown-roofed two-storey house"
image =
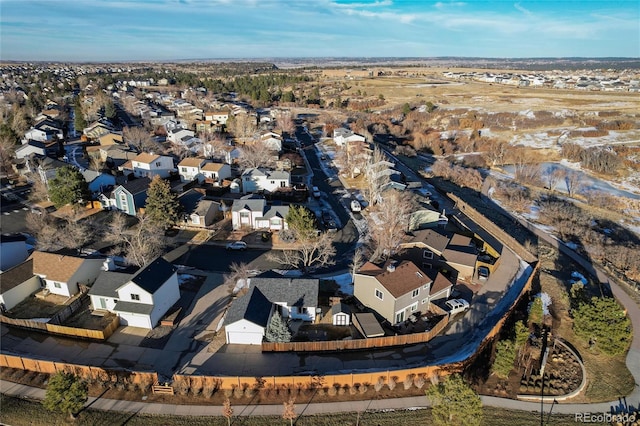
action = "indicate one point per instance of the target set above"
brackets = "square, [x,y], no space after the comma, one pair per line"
[389,221]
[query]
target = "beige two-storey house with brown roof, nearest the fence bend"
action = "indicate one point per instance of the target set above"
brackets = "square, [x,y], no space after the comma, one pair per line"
[398,291]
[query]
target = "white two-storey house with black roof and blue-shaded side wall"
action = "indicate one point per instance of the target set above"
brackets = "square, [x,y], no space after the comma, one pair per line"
[140,299]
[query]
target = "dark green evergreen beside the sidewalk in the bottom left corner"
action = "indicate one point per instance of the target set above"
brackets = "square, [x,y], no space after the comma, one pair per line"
[66,393]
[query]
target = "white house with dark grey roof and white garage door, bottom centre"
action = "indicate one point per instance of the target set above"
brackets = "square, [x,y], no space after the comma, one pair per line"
[248,317]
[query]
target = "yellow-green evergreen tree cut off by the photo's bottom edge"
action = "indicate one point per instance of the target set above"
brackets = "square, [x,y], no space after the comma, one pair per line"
[454,402]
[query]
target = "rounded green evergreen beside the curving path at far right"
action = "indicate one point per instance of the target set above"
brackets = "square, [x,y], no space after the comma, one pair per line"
[604,322]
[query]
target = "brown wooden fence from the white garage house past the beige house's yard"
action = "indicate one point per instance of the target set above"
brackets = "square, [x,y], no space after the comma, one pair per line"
[371,343]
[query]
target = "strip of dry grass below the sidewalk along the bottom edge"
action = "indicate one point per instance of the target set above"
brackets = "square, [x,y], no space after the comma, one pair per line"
[19,412]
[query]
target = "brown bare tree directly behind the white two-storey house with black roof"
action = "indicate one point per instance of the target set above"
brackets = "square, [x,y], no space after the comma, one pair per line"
[141,243]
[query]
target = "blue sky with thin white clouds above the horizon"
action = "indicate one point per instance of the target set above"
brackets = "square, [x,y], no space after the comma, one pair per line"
[120,30]
